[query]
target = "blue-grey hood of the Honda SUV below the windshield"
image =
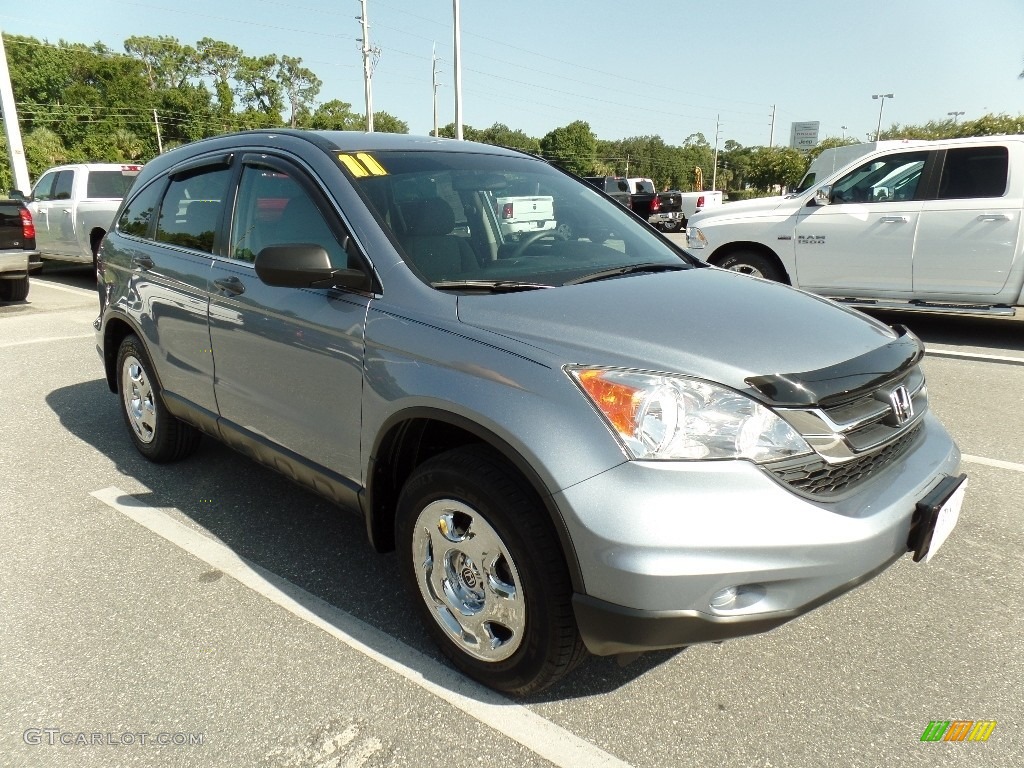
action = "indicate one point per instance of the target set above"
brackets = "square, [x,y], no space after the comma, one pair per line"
[710,324]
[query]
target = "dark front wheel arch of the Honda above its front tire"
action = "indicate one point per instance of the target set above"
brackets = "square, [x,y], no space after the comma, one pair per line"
[411,438]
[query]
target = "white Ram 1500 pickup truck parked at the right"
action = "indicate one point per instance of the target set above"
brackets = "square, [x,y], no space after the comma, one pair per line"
[923,226]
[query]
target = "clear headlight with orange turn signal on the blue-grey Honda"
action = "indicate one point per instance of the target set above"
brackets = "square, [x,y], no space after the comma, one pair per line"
[670,417]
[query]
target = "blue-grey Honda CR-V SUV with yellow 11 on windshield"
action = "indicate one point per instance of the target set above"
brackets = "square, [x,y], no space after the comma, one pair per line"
[578,439]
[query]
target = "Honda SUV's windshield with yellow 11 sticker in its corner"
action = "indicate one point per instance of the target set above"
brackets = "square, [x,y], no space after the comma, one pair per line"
[463,220]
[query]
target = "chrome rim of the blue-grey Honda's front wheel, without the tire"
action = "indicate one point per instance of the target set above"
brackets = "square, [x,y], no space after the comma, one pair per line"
[468,580]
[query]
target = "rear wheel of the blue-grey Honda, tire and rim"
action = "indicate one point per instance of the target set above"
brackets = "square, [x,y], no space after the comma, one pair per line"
[158,436]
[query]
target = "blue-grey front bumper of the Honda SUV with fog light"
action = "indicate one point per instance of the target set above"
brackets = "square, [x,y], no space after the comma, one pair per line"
[660,543]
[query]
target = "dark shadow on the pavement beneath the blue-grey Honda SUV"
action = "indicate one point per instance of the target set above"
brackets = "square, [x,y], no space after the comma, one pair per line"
[280,527]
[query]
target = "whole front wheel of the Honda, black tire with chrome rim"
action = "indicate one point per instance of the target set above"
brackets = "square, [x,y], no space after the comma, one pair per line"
[487,572]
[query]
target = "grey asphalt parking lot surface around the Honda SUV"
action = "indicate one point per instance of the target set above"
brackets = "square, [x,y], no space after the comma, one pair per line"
[212,614]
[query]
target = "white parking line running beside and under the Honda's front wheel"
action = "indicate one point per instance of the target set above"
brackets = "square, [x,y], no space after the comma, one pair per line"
[519,723]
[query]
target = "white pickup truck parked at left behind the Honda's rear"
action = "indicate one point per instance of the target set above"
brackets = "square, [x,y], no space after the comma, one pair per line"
[74,206]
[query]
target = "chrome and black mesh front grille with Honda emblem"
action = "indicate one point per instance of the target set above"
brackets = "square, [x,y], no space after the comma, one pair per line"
[856,439]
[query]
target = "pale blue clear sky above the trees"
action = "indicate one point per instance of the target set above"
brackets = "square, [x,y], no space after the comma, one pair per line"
[720,68]
